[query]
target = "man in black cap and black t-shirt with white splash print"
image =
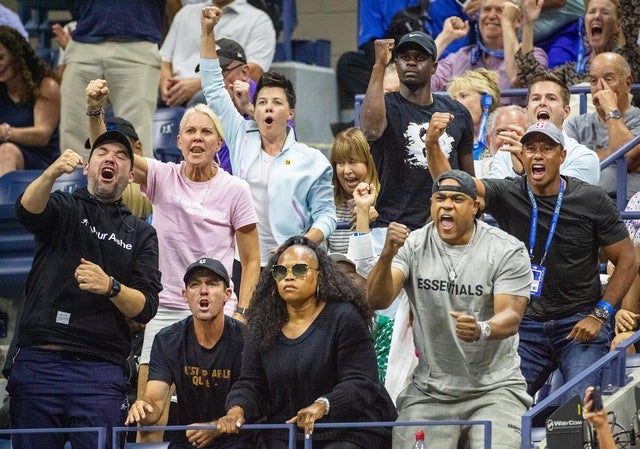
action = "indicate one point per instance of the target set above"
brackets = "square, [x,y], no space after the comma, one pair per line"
[395,125]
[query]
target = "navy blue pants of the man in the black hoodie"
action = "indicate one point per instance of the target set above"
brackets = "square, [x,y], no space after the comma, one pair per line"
[54,389]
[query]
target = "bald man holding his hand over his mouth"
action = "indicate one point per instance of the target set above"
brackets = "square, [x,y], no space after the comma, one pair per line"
[615,121]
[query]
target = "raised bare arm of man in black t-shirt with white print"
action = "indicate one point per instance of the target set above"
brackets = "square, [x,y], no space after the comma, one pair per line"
[373,113]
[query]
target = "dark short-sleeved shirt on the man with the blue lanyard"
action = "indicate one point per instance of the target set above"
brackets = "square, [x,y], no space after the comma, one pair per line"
[588,219]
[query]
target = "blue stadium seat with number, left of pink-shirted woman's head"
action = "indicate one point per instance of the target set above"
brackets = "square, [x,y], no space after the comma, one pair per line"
[166,126]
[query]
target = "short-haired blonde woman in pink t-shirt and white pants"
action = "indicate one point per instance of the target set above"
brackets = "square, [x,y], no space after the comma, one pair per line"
[199,210]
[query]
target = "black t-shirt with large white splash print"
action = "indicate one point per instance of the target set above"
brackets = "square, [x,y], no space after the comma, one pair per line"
[400,157]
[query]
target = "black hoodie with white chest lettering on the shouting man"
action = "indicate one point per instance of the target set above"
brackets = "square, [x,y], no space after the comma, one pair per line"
[56,312]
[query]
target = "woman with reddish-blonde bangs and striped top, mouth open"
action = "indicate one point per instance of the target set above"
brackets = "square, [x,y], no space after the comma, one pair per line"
[352,164]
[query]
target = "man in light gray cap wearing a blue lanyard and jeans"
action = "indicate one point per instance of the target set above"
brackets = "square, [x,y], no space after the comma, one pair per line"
[563,222]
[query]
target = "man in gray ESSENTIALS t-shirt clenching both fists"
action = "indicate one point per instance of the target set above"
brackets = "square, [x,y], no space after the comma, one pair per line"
[468,285]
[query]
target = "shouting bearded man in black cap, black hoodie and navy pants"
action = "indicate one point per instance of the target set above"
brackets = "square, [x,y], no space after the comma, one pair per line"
[95,265]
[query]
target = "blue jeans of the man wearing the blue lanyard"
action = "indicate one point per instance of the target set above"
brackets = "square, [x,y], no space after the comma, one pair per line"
[544,348]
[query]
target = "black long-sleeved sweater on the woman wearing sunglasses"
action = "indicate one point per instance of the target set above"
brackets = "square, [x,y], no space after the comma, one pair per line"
[334,358]
